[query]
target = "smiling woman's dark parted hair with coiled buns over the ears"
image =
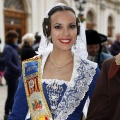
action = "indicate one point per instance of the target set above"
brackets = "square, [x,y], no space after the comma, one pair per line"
[47,24]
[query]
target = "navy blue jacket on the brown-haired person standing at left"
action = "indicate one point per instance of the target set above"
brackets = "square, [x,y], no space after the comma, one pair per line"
[12,61]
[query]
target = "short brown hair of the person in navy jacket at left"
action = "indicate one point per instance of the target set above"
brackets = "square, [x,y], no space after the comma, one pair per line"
[10,36]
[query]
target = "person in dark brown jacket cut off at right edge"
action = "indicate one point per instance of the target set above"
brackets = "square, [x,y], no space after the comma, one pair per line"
[105,102]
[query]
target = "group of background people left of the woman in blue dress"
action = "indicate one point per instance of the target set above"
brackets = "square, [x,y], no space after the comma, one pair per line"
[11,63]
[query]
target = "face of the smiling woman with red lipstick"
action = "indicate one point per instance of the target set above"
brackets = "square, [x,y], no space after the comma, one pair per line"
[63,30]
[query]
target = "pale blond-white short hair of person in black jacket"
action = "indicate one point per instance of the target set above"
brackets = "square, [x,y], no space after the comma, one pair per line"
[27,39]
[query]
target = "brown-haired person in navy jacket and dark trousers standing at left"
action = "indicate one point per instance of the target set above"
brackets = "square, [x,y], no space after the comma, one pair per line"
[12,68]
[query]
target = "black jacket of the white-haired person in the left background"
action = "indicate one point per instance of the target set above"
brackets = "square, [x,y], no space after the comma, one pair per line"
[27,52]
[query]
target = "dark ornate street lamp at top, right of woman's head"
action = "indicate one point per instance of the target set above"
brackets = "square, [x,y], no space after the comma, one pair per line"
[80,5]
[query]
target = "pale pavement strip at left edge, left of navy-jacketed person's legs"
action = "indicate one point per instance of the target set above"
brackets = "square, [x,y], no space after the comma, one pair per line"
[3,94]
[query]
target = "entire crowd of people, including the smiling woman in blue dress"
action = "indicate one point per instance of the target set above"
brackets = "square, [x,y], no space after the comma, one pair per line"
[74,73]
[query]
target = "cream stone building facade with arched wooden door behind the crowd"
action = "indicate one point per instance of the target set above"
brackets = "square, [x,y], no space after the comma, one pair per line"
[27,15]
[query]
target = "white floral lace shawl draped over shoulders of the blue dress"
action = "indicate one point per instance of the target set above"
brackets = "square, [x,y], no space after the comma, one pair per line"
[82,76]
